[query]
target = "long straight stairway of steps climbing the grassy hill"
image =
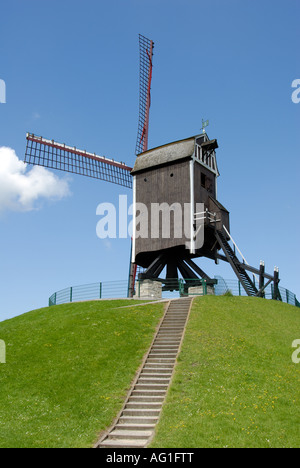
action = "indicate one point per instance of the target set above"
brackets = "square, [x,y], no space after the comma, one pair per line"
[135,427]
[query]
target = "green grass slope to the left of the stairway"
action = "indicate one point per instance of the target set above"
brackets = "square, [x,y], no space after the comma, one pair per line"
[68,370]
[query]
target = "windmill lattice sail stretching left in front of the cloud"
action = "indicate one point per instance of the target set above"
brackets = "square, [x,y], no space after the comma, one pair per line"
[48,153]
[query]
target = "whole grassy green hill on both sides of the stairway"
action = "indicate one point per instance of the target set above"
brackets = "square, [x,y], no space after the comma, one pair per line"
[69,368]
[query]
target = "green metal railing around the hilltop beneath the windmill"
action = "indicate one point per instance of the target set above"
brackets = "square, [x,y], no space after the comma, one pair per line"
[119,290]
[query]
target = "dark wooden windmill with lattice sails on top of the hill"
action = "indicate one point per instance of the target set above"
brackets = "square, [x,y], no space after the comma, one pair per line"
[183,173]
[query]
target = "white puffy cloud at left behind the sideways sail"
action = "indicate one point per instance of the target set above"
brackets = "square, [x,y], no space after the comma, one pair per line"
[21,188]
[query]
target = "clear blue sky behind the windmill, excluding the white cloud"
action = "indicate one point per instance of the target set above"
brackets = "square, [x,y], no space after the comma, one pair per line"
[71,70]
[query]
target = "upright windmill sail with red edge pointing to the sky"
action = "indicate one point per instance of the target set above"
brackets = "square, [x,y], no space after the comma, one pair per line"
[146,55]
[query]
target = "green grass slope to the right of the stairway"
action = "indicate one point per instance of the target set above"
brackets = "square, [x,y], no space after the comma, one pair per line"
[235,384]
